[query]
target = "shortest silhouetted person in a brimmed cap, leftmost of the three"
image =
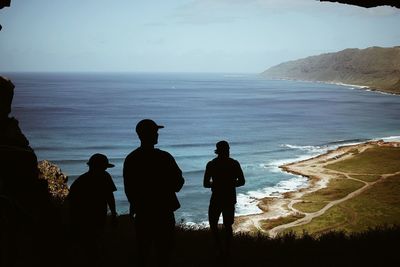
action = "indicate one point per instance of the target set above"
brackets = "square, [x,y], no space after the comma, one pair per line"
[90,195]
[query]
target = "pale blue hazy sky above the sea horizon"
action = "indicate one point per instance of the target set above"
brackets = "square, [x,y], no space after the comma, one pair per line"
[229,36]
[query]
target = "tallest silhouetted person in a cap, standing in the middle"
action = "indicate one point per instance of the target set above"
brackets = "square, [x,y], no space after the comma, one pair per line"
[151,178]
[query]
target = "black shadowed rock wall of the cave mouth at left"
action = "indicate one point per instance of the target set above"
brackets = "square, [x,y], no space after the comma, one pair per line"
[18,164]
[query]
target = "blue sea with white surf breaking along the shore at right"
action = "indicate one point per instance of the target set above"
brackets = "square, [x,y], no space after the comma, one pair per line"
[69,116]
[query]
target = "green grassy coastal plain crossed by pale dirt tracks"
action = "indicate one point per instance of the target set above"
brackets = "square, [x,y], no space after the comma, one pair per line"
[378,205]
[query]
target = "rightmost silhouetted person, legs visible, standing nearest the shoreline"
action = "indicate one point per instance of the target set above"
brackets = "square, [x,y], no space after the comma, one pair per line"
[223,174]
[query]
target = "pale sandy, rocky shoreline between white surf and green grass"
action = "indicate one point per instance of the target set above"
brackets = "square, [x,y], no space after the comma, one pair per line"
[276,208]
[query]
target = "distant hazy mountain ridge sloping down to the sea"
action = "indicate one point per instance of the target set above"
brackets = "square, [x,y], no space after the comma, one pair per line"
[375,67]
